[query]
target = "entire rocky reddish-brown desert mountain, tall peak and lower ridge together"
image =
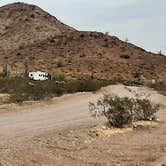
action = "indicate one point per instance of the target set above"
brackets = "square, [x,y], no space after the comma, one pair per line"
[29,34]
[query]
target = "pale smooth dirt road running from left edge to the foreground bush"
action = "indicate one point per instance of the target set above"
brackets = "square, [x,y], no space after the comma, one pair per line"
[31,121]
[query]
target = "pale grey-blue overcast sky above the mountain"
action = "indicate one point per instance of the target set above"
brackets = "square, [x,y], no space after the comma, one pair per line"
[143,22]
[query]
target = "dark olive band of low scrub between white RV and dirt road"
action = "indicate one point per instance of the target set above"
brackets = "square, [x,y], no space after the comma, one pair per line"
[21,89]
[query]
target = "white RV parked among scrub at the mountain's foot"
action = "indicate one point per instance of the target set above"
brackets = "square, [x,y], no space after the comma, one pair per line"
[38,76]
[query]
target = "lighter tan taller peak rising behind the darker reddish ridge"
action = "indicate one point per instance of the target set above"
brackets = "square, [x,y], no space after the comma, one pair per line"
[22,24]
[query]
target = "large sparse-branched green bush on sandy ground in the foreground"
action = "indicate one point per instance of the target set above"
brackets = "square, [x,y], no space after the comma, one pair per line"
[124,111]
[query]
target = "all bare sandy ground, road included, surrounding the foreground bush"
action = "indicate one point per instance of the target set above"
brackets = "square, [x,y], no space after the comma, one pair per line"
[56,132]
